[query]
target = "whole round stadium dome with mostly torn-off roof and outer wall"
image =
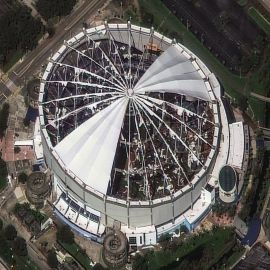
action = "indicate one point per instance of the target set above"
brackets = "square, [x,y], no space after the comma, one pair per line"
[129,119]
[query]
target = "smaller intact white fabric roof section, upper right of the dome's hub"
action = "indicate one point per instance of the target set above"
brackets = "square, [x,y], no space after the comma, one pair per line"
[173,72]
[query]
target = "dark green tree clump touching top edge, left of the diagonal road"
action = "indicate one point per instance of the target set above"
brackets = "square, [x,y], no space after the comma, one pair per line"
[53,8]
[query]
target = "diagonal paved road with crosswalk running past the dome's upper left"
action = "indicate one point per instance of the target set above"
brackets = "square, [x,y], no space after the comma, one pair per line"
[34,59]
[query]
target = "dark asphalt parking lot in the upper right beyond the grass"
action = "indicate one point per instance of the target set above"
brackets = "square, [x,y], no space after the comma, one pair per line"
[221,25]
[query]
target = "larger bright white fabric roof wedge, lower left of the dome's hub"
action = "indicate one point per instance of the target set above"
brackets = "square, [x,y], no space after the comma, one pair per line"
[89,150]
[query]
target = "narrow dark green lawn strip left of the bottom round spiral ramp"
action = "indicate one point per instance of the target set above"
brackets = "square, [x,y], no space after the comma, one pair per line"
[78,254]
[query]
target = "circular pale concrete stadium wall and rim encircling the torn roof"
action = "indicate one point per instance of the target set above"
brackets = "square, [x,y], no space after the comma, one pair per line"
[131,213]
